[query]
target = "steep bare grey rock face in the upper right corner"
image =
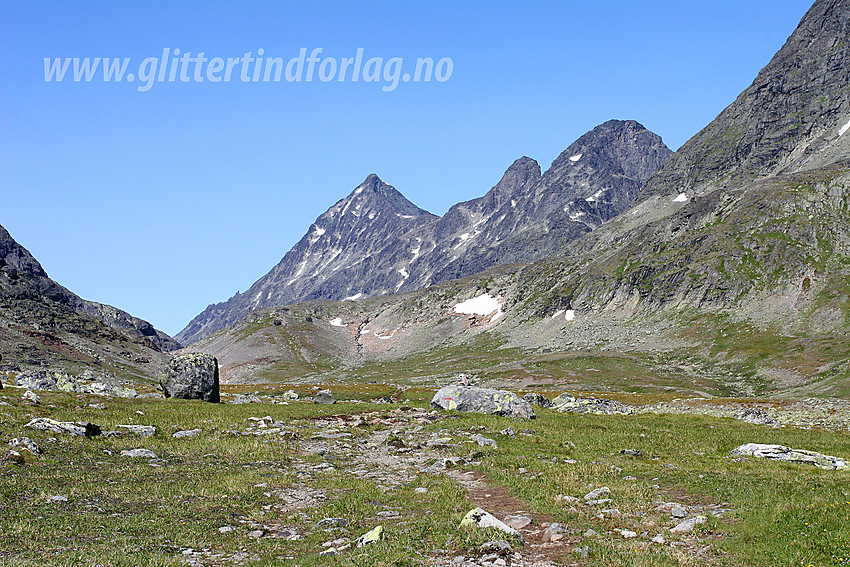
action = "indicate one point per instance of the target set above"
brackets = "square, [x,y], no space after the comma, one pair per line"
[793,117]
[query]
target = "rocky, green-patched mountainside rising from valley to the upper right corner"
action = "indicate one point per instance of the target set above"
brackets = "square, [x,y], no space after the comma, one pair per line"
[730,277]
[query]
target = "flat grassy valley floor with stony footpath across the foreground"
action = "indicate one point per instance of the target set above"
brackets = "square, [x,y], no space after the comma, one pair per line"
[299,483]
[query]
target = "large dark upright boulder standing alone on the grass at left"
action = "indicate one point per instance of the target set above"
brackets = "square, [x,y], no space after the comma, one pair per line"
[191,376]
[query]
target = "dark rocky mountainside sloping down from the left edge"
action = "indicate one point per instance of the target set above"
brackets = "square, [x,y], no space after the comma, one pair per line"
[42,322]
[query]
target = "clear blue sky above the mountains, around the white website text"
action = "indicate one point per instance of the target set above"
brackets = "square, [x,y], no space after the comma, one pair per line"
[164,201]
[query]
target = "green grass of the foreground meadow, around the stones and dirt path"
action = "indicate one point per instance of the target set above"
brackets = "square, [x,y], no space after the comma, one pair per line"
[123,511]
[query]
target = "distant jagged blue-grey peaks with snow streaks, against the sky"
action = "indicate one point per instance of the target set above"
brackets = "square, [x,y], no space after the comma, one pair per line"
[375,242]
